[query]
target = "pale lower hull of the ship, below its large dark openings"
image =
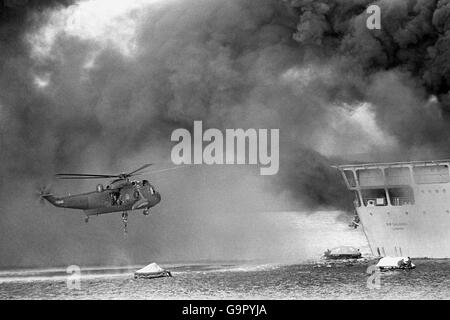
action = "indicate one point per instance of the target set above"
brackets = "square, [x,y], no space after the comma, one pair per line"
[420,230]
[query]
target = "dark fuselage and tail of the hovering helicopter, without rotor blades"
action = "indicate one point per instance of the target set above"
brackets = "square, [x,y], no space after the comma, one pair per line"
[120,195]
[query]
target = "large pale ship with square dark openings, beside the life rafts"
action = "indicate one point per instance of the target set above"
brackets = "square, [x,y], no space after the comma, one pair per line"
[403,207]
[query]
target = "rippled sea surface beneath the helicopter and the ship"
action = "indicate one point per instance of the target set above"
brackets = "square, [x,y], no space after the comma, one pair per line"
[430,280]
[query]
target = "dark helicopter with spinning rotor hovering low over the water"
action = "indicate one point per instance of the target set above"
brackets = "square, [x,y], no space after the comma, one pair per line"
[121,195]
